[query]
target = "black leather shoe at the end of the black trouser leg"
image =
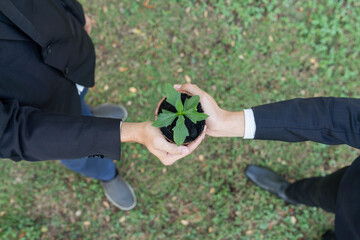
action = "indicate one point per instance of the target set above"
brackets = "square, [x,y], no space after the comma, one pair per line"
[269,181]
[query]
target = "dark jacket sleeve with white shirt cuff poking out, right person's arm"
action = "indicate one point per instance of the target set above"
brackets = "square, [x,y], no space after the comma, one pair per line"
[325,120]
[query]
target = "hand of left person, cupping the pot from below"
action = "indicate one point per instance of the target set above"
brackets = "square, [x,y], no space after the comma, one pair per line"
[155,142]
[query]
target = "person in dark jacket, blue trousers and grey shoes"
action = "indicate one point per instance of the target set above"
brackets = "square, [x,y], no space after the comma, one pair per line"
[47,63]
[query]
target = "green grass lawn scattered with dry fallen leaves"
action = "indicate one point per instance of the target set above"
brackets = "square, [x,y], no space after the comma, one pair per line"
[244,53]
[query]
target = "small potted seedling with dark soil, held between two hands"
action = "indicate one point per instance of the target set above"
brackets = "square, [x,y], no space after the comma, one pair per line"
[180,116]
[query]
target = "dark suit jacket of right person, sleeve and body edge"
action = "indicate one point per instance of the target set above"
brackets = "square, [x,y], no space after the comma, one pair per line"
[325,120]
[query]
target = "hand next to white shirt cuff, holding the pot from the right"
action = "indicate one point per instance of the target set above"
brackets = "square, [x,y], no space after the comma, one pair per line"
[220,123]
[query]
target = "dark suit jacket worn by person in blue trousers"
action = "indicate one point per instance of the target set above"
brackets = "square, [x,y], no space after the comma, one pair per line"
[44,52]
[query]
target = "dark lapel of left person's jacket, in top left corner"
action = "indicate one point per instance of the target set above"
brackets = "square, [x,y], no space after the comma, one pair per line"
[17,18]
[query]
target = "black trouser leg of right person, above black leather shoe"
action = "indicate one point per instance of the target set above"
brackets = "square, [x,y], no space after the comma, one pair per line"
[317,191]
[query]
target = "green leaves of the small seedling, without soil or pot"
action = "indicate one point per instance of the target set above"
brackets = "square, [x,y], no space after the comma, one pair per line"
[188,109]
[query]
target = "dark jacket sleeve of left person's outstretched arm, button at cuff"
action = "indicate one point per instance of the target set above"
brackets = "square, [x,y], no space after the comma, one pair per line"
[30,134]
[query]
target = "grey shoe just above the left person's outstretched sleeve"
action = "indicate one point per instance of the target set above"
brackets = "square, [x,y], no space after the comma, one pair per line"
[110,111]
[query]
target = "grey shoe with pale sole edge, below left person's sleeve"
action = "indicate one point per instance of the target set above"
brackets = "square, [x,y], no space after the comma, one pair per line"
[119,193]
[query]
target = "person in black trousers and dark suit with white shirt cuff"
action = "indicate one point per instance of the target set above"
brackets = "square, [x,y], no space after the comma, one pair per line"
[325,120]
